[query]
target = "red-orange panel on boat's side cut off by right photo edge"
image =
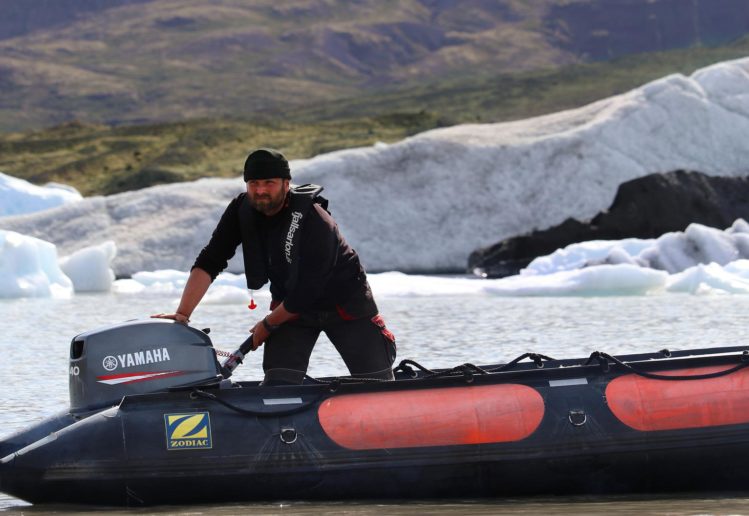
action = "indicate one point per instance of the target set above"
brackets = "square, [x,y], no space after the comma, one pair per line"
[647,404]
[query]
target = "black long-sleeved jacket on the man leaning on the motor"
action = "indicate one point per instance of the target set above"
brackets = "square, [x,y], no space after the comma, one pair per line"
[329,275]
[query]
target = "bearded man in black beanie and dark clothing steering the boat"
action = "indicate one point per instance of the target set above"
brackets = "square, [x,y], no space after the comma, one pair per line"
[316,280]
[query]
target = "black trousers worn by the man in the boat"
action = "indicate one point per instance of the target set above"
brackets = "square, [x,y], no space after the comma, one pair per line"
[366,346]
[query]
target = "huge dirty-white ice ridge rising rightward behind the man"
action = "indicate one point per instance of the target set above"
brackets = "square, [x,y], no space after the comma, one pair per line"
[425,203]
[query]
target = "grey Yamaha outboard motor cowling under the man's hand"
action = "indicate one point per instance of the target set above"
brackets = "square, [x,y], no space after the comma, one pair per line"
[138,357]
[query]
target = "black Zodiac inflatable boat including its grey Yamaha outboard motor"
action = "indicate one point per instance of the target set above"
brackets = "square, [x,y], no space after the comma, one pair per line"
[155,418]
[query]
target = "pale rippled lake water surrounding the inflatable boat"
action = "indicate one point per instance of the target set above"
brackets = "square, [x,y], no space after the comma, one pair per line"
[435,331]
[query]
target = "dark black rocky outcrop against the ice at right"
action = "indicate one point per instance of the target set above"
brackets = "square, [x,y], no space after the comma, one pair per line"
[646,207]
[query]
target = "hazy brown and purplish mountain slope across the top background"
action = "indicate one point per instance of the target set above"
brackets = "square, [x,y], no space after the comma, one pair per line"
[136,61]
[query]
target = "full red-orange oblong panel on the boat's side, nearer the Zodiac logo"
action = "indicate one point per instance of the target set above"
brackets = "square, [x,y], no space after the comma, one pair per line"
[432,417]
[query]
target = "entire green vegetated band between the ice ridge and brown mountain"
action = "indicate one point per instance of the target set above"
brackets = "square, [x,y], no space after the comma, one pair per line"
[100,159]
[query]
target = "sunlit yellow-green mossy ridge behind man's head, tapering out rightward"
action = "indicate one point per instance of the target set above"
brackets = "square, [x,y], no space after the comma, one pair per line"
[105,160]
